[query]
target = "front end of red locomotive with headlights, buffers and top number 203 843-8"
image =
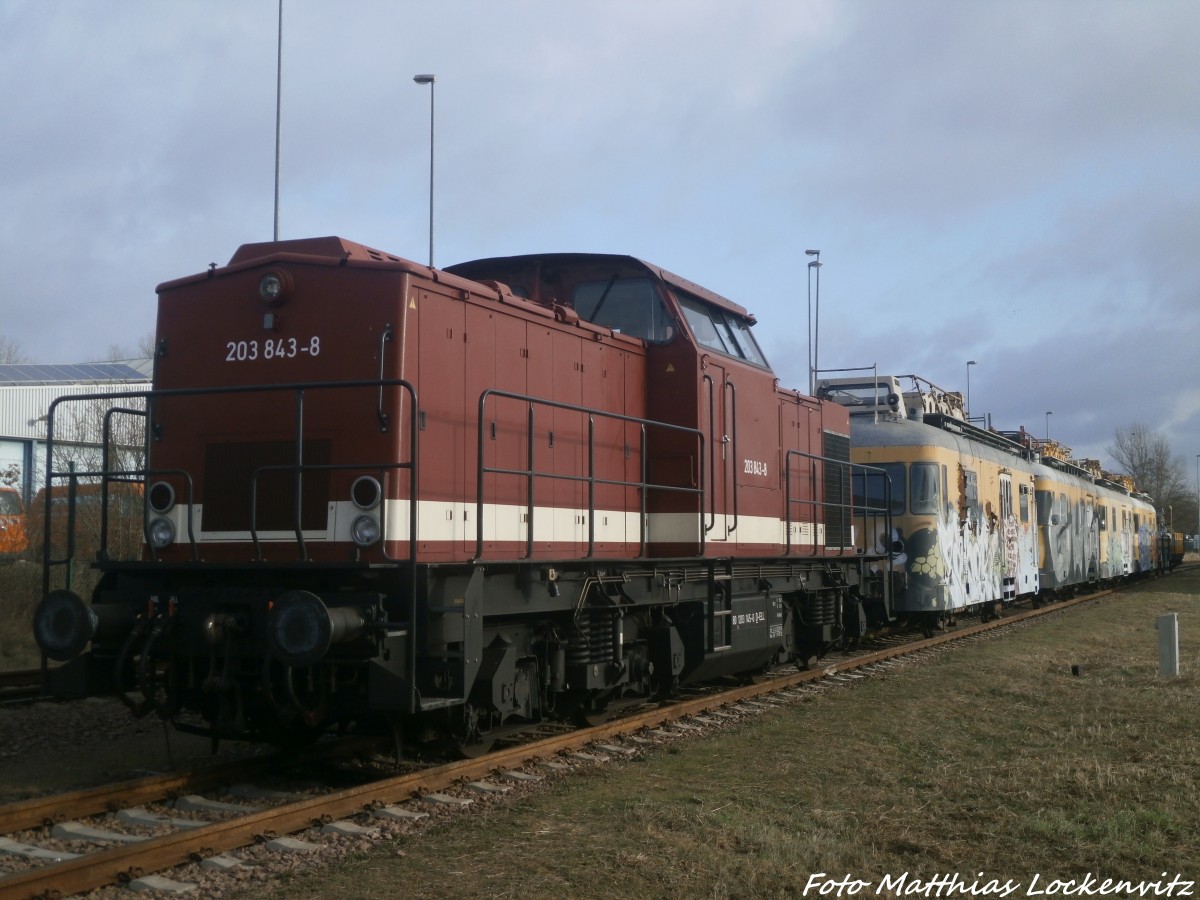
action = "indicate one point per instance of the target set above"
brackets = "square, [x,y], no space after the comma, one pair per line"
[280,458]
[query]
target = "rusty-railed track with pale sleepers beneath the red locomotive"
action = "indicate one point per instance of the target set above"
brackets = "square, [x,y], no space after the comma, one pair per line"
[39,830]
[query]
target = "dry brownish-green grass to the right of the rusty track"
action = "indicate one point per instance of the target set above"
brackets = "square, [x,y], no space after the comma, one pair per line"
[992,760]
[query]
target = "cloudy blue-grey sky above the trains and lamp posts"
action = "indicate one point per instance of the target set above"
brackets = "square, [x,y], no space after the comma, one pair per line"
[1010,182]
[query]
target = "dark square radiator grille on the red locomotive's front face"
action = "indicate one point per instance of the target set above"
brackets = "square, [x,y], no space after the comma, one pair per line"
[230,487]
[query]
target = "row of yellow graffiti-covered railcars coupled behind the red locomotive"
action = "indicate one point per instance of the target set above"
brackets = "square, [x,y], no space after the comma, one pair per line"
[982,518]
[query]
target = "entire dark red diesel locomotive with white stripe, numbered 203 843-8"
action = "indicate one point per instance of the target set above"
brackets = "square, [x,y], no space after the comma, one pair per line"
[461,500]
